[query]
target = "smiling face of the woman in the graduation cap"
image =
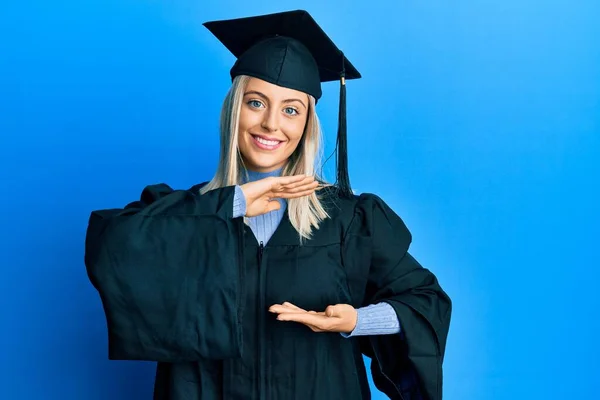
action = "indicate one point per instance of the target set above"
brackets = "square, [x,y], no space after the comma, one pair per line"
[272,121]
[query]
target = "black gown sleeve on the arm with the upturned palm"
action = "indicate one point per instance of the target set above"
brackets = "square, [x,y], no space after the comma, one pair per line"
[409,363]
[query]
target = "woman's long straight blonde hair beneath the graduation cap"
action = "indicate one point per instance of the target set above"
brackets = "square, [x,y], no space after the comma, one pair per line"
[305,213]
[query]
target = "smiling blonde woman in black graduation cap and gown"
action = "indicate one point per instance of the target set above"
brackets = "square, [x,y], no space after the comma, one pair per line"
[267,283]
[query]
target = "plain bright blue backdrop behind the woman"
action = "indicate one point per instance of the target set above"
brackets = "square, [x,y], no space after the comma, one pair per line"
[478,121]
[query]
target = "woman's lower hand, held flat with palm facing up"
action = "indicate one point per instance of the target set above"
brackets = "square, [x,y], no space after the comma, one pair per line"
[336,318]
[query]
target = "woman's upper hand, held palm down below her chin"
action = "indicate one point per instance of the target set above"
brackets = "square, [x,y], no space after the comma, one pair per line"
[261,195]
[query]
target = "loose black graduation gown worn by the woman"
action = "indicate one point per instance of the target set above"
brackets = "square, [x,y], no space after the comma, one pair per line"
[185,284]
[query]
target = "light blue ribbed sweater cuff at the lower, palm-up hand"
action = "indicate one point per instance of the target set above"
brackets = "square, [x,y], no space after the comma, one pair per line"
[375,319]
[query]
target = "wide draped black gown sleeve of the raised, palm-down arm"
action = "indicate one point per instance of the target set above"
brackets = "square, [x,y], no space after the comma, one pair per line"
[168,271]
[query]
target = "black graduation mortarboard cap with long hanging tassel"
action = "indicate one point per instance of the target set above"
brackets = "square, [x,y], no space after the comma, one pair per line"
[290,49]
